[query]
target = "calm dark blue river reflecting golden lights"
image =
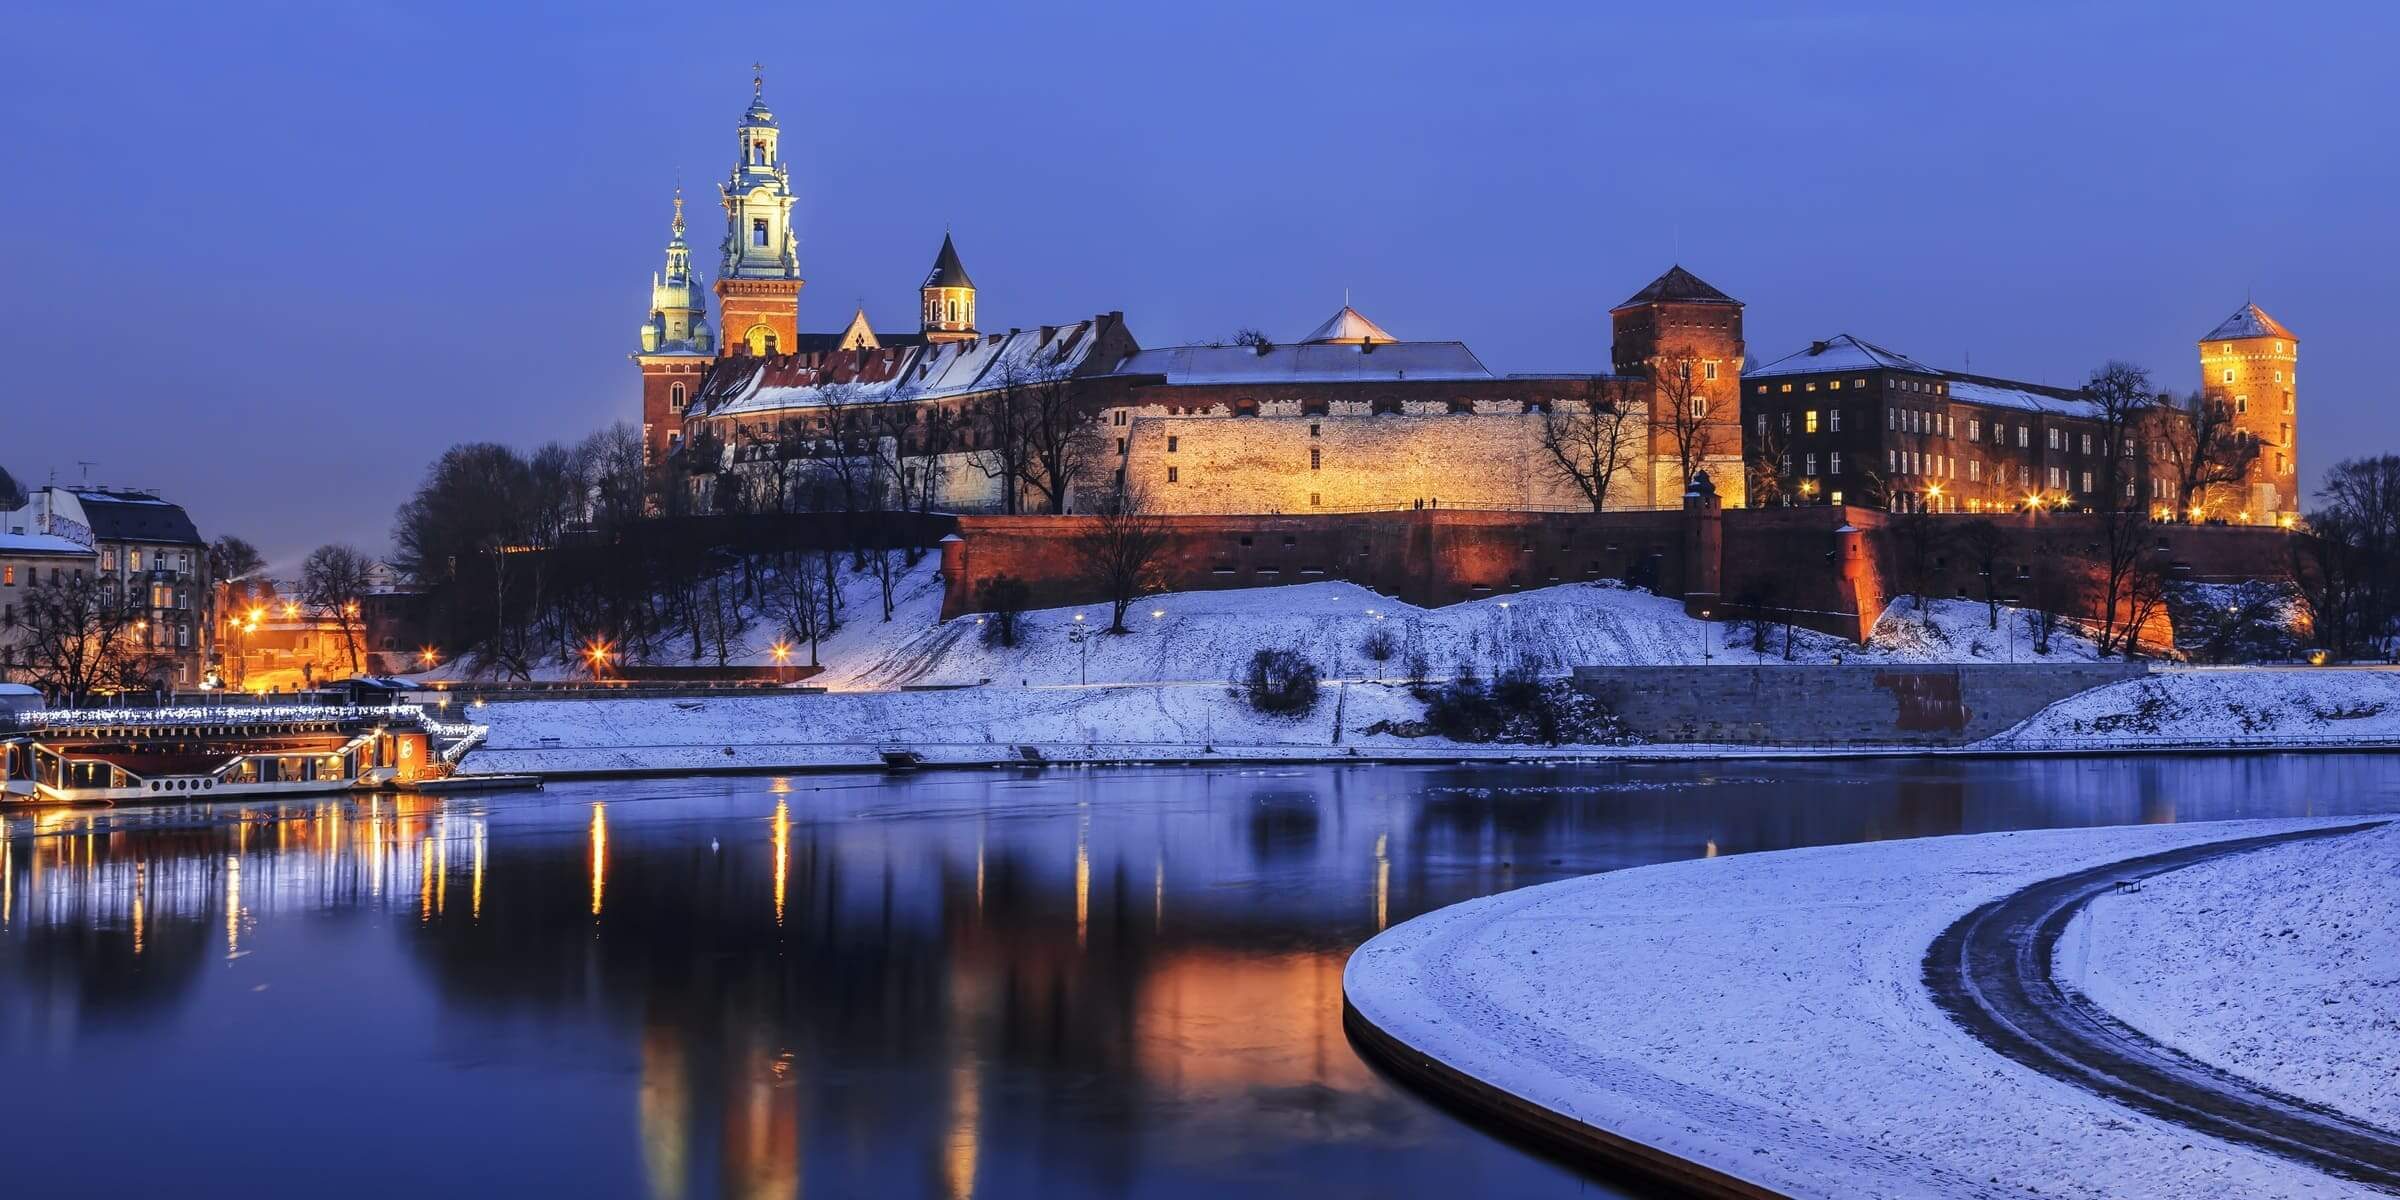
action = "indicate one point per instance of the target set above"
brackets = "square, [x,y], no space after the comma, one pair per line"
[1076,985]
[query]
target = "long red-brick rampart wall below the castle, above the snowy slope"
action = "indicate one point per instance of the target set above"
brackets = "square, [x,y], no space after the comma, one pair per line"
[1825,568]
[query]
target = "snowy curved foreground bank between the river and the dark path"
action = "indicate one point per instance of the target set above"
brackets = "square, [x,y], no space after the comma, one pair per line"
[1765,1014]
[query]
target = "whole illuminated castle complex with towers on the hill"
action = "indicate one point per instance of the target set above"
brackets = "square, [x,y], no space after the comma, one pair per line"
[748,414]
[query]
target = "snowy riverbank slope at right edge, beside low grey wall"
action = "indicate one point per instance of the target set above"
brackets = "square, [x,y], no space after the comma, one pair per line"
[2296,707]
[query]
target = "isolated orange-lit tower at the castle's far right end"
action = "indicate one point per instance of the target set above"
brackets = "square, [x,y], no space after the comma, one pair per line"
[2252,364]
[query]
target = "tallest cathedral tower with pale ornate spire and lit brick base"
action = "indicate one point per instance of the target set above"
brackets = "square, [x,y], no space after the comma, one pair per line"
[760,275]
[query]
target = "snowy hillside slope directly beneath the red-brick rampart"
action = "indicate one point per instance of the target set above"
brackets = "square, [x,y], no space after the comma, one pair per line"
[1189,637]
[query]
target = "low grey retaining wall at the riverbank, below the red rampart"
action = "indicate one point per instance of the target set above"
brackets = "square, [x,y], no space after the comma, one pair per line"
[1840,707]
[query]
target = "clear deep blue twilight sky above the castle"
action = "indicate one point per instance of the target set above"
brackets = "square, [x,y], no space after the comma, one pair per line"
[275,258]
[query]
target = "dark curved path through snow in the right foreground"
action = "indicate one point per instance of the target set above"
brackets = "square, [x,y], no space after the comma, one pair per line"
[1993,976]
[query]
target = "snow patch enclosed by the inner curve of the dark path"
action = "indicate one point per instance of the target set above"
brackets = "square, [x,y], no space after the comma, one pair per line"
[2279,966]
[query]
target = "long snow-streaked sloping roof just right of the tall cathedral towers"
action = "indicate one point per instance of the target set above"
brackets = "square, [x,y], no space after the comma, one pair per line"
[899,373]
